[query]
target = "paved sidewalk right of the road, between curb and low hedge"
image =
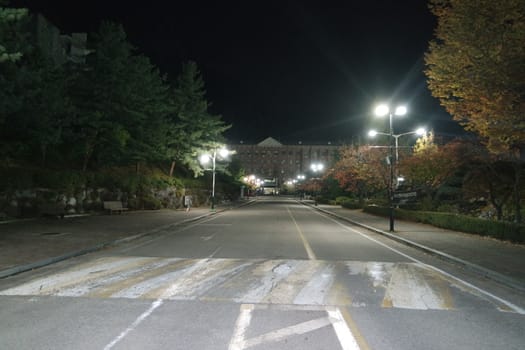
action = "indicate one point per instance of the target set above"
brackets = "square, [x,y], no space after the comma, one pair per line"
[498,260]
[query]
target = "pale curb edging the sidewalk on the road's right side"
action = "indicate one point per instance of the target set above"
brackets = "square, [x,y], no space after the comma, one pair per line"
[484,272]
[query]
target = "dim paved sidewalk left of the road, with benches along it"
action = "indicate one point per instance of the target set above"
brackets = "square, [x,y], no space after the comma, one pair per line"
[31,243]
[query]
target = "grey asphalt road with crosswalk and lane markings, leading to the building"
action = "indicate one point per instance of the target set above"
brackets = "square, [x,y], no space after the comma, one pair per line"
[272,275]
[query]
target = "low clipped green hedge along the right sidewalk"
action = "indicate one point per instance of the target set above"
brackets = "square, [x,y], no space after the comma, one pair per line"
[498,229]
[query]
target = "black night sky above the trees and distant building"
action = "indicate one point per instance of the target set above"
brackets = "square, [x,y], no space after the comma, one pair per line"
[292,69]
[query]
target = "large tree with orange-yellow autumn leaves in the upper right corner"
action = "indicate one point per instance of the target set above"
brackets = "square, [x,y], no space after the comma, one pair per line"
[476,68]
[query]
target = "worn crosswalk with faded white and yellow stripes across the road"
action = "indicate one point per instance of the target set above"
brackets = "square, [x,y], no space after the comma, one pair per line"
[253,281]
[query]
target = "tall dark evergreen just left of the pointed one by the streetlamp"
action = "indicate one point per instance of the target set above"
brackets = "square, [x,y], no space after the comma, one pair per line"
[121,103]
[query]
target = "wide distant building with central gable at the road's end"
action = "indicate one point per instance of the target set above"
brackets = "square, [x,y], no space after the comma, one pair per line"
[270,159]
